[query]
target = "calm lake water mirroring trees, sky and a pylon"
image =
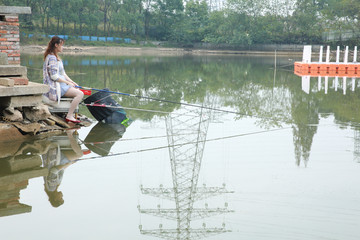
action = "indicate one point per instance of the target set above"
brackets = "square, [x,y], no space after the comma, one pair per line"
[279,158]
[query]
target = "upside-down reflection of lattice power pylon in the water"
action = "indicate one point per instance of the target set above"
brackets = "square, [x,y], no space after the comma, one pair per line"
[186,138]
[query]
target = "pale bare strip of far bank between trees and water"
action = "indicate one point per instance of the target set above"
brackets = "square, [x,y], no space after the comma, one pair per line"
[149,51]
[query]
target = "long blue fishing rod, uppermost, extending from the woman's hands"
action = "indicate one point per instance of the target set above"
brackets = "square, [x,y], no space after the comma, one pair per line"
[167,101]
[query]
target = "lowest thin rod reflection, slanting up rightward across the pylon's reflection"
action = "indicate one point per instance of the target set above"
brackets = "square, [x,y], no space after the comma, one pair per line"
[182,144]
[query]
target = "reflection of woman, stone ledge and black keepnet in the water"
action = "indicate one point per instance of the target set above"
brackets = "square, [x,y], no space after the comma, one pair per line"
[21,161]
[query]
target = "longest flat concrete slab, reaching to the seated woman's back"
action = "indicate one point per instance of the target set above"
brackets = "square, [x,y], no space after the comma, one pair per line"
[23,90]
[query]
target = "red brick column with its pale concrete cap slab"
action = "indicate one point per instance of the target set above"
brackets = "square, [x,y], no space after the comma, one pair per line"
[9,32]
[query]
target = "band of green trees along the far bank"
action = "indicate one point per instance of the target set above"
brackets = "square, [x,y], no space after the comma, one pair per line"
[237,22]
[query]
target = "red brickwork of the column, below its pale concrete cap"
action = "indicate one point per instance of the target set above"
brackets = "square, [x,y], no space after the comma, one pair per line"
[10,38]
